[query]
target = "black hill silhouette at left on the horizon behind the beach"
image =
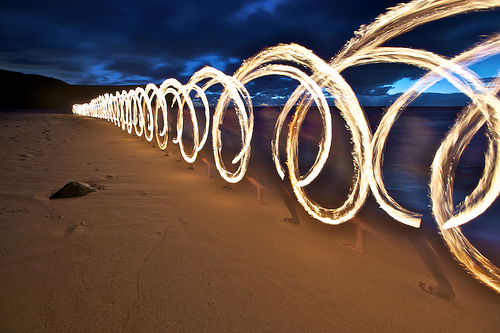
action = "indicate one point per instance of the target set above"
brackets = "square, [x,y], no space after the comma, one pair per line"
[38,92]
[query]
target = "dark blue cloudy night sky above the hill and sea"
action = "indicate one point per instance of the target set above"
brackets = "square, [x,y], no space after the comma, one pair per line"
[136,42]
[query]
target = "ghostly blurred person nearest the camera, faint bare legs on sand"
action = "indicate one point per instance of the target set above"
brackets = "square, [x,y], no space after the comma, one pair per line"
[409,177]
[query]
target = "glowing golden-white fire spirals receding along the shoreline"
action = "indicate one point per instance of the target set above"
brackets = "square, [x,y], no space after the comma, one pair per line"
[145,111]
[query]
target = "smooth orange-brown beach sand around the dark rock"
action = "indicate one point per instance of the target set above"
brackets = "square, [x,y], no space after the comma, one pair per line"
[163,248]
